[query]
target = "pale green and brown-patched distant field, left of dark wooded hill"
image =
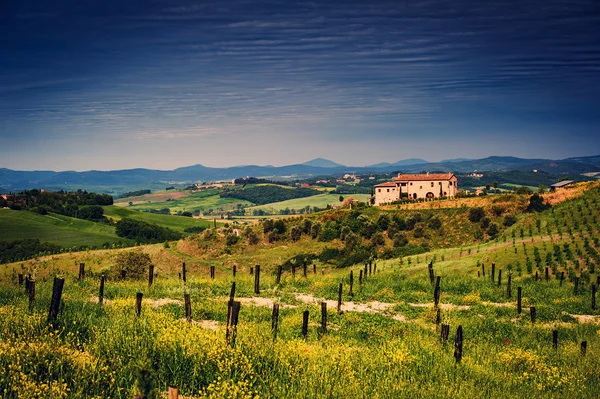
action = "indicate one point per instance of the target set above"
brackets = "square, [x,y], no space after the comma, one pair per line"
[202,200]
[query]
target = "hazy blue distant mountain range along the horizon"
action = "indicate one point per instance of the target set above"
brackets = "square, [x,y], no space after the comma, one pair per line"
[107,181]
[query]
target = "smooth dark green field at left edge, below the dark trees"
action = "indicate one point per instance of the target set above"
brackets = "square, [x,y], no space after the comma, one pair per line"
[56,229]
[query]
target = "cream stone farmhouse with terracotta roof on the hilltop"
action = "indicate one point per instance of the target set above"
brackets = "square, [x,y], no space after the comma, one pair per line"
[413,186]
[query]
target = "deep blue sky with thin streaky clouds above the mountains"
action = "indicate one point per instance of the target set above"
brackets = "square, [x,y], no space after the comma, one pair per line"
[168,83]
